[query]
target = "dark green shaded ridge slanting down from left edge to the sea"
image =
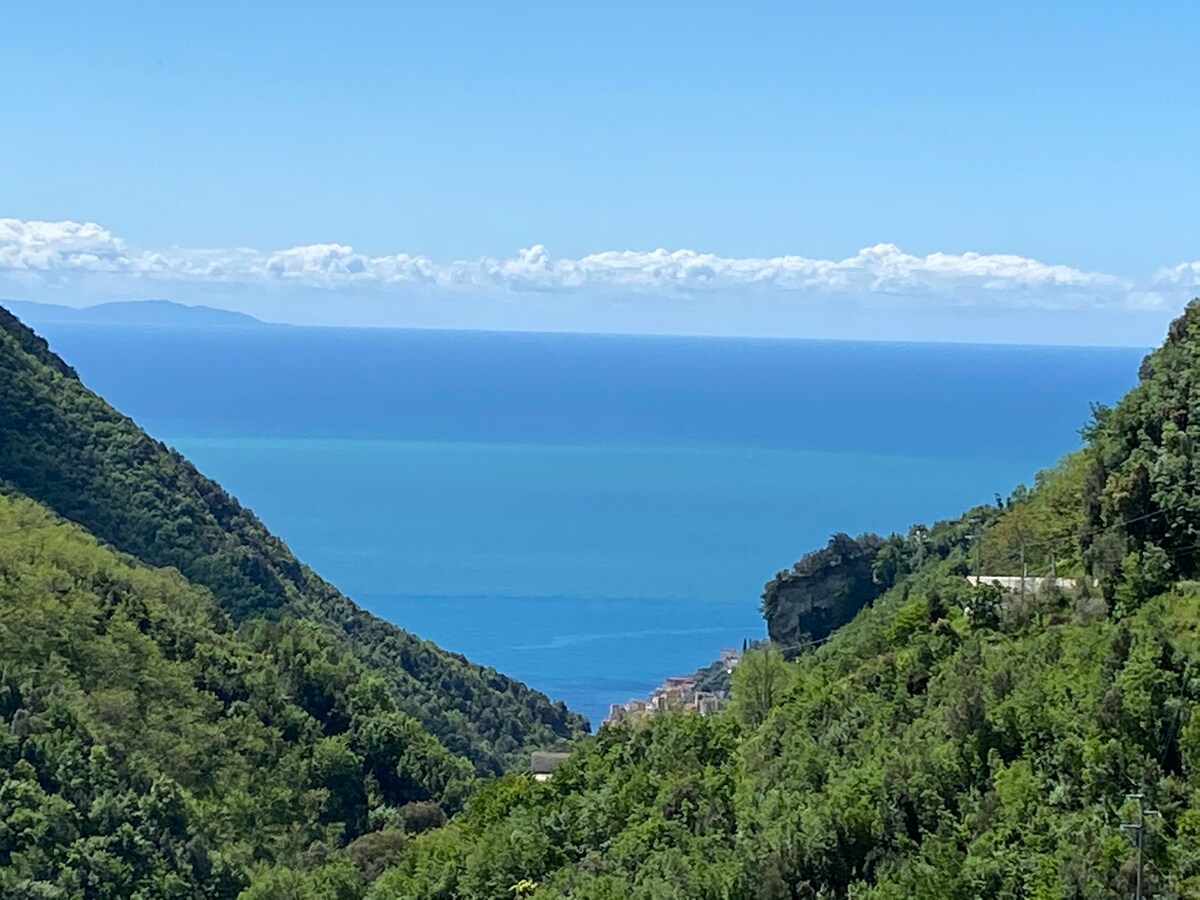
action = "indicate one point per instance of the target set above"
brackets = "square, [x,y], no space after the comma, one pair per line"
[67,448]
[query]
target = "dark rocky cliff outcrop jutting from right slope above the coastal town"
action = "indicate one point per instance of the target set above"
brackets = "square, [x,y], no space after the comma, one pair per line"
[823,592]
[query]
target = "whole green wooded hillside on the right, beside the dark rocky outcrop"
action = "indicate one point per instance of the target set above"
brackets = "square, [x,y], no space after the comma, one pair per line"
[951,742]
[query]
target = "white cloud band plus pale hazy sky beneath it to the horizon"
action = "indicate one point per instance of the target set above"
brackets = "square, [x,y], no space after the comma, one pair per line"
[880,292]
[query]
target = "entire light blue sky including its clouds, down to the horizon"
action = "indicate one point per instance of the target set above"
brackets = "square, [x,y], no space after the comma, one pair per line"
[1063,136]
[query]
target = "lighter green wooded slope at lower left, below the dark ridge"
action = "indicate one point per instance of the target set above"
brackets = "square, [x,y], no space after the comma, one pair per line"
[147,751]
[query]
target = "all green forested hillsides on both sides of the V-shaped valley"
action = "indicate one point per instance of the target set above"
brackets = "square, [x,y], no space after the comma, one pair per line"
[233,733]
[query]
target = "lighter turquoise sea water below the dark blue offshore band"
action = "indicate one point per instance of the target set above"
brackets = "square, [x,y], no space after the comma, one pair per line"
[590,572]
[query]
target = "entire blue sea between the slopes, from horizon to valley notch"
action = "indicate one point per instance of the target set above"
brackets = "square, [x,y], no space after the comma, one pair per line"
[590,514]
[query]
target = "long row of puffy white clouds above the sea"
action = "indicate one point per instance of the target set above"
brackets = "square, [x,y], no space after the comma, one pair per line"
[64,251]
